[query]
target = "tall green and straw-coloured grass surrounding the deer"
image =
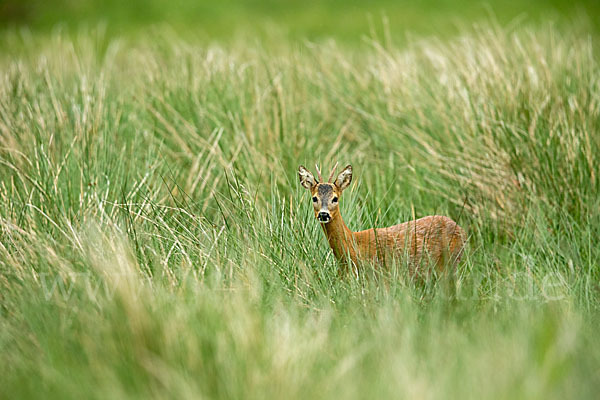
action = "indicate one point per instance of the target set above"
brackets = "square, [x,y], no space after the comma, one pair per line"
[155,241]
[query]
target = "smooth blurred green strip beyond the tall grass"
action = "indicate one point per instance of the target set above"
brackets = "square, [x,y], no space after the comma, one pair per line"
[344,20]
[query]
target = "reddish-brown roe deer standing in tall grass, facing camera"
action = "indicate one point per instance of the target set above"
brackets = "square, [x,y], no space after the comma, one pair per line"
[437,237]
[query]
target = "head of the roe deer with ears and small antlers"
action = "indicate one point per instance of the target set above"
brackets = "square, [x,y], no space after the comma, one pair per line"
[325,195]
